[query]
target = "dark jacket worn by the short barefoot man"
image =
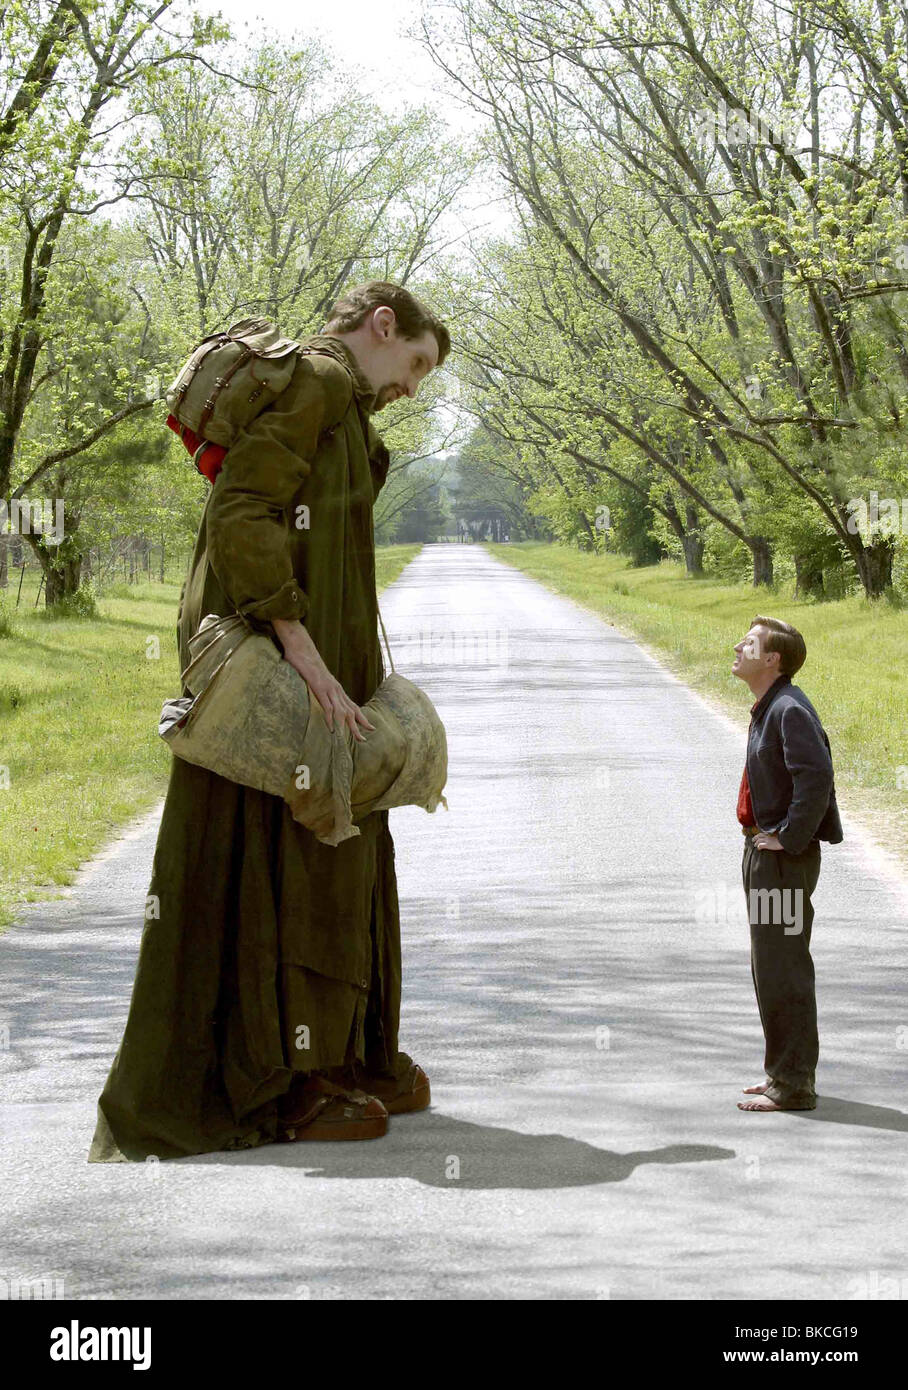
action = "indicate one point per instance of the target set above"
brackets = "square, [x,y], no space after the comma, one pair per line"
[791,769]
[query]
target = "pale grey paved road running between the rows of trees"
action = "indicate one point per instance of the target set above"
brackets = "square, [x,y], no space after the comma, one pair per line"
[578,986]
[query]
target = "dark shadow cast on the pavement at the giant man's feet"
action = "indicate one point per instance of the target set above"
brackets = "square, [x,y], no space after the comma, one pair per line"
[432,1149]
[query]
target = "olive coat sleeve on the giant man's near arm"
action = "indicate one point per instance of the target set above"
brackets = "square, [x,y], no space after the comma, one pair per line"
[248,529]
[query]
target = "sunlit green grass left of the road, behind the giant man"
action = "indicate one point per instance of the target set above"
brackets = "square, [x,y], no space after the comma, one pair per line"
[80,703]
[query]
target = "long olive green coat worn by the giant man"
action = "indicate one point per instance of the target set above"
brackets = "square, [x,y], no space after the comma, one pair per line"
[266,953]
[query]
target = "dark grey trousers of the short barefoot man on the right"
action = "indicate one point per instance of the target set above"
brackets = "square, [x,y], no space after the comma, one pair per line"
[778,888]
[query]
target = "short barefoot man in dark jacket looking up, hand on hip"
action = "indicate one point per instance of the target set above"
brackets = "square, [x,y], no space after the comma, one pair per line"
[786,807]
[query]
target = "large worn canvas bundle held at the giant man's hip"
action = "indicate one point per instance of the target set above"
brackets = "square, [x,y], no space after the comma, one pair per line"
[251,718]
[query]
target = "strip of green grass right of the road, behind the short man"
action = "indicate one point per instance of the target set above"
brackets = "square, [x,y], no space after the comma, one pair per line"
[856,673]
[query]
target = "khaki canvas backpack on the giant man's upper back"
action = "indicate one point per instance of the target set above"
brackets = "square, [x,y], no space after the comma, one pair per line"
[232,377]
